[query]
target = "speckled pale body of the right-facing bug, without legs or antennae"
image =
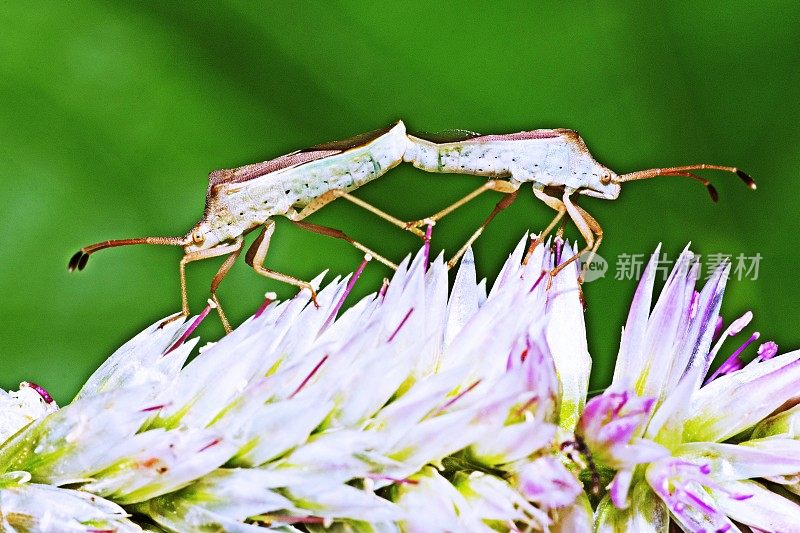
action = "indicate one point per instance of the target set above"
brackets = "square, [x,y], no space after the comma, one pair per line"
[547,158]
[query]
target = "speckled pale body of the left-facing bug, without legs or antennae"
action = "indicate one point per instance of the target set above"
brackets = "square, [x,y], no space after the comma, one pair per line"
[243,200]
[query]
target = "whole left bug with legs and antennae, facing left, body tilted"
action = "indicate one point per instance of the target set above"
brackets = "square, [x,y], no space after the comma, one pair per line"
[295,185]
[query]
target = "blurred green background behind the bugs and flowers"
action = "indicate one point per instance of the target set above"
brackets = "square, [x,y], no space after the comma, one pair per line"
[113,113]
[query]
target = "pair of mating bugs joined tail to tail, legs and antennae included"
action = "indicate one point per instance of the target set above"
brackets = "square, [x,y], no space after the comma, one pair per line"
[555,161]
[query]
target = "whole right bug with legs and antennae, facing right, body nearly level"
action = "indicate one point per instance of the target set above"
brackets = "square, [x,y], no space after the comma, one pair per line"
[555,161]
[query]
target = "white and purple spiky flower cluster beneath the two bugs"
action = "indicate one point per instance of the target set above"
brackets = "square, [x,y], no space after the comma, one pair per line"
[420,409]
